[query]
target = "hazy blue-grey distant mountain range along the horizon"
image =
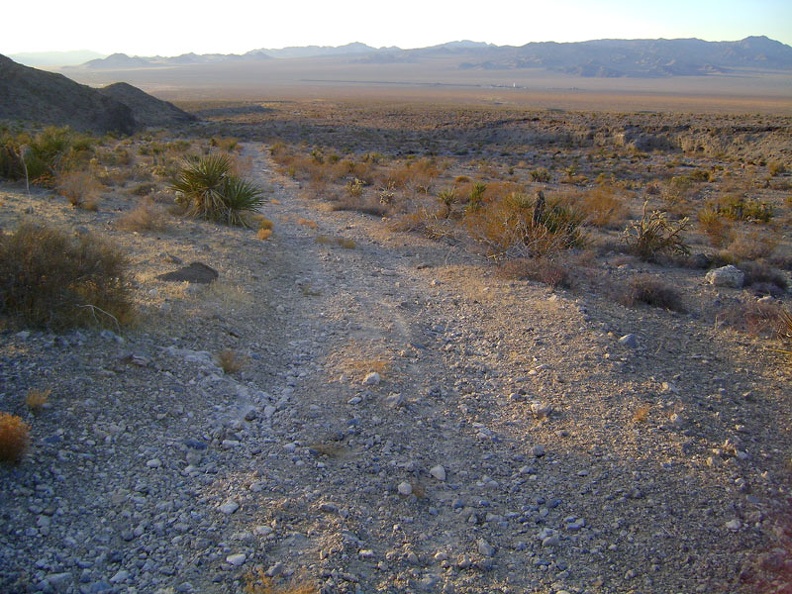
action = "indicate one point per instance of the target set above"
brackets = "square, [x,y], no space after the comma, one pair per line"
[599,58]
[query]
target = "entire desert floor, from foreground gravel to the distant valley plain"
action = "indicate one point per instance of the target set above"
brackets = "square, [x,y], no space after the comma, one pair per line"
[396,383]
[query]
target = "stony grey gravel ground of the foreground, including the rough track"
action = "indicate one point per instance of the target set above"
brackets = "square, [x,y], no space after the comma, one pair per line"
[405,420]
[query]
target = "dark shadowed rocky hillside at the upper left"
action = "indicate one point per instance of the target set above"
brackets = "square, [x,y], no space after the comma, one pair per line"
[29,94]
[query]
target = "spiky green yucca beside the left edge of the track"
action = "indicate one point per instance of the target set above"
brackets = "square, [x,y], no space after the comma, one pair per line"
[207,189]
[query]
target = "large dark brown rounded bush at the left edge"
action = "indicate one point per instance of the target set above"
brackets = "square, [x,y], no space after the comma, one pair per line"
[52,279]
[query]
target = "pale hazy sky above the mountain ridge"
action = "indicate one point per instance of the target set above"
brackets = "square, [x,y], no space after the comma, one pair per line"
[173,27]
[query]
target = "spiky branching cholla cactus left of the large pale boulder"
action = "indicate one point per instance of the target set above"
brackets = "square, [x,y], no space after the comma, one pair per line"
[655,235]
